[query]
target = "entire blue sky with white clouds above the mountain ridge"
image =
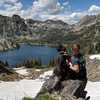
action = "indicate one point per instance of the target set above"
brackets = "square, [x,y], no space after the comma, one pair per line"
[70,11]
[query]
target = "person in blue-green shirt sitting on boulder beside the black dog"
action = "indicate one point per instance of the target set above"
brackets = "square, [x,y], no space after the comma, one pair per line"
[78,64]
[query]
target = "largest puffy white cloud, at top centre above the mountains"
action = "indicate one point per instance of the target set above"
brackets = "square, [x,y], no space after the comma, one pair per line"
[43,7]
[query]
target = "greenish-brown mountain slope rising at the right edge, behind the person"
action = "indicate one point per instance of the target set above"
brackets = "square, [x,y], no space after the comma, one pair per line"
[89,30]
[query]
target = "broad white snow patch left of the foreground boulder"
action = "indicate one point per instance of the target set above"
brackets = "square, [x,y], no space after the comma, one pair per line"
[24,88]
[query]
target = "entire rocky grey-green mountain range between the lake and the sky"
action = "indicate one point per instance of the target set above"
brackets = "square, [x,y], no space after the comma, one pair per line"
[86,32]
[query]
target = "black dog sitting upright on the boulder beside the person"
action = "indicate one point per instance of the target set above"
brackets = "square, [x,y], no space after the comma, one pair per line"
[63,63]
